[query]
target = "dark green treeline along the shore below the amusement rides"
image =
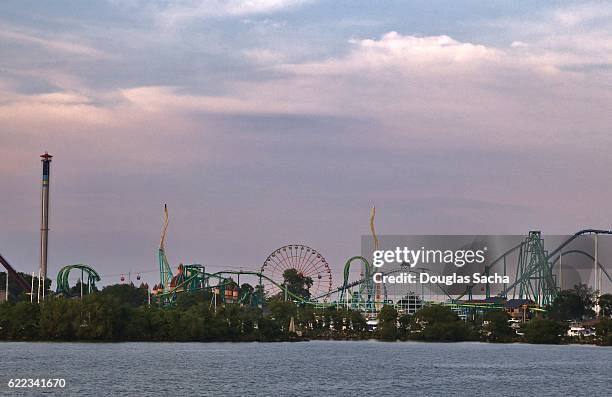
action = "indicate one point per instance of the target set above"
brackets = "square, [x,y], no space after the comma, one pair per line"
[122,313]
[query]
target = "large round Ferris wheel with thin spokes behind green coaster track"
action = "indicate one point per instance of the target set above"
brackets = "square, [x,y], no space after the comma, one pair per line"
[307,261]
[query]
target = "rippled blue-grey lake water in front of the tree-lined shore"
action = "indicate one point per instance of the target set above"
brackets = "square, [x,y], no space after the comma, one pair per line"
[317,368]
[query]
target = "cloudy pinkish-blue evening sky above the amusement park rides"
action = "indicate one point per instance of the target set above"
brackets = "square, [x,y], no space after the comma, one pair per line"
[268,122]
